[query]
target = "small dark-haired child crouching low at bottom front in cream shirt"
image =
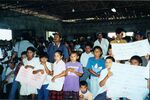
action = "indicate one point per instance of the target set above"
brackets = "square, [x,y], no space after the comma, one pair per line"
[84,93]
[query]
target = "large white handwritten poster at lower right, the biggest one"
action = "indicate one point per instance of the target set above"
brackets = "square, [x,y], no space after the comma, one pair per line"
[127,81]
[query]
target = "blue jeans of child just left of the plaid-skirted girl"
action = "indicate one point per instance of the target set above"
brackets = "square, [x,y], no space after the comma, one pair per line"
[43,93]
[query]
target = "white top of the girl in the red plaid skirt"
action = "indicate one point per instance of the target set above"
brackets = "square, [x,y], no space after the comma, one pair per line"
[58,68]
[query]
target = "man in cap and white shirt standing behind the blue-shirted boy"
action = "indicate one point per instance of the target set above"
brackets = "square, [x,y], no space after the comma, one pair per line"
[102,42]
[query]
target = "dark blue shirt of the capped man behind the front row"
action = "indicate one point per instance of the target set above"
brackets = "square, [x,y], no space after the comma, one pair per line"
[52,48]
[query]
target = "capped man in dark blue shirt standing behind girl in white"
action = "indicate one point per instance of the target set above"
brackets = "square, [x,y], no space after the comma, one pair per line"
[57,45]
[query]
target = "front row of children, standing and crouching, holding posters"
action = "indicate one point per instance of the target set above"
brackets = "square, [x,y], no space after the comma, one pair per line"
[62,80]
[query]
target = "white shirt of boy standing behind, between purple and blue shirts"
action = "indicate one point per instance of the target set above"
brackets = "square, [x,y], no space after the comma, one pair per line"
[84,58]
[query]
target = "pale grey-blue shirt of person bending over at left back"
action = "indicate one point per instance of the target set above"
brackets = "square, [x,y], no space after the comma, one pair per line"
[22,46]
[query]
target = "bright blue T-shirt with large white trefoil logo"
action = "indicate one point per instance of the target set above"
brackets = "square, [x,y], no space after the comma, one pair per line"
[97,65]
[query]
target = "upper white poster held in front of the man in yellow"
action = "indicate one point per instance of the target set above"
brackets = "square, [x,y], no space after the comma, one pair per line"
[125,51]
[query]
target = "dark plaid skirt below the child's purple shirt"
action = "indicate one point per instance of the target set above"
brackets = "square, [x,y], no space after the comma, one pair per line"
[71,95]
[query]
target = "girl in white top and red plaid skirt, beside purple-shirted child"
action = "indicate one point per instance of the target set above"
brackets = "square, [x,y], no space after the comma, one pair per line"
[56,83]
